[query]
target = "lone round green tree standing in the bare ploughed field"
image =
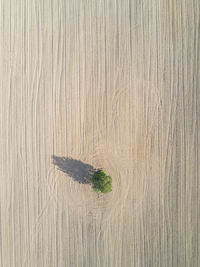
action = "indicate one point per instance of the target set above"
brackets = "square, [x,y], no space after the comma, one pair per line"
[101,182]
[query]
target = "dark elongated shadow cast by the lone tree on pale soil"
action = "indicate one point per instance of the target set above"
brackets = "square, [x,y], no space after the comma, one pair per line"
[76,169]
